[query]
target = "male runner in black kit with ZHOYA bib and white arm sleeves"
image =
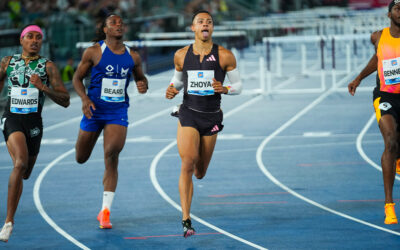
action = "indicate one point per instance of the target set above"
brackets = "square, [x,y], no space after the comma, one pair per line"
[200,69]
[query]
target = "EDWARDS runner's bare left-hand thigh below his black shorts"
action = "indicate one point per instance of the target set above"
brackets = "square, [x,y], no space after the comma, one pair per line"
[17,147]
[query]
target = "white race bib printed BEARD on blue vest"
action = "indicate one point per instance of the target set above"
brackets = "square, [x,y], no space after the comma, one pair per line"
[113,90]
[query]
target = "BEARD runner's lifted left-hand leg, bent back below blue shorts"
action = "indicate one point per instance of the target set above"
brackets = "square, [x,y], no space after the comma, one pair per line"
[85,144]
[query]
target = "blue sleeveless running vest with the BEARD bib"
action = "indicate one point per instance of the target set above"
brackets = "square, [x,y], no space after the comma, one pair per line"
[110,79]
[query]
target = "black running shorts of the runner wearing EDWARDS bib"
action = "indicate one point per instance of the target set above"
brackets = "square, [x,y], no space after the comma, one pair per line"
[32,128]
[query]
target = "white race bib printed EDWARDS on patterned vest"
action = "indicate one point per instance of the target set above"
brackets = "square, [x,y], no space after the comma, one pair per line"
[24,100]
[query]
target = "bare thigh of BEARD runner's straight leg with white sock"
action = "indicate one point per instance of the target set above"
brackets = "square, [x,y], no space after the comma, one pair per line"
[114,137]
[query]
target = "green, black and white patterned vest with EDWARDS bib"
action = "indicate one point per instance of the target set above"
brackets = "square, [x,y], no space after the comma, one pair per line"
[23,96]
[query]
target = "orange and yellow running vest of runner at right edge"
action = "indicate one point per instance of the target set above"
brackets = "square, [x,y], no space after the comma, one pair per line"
[388,53]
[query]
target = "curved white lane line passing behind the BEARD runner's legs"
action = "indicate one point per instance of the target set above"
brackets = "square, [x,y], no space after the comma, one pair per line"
[38,182]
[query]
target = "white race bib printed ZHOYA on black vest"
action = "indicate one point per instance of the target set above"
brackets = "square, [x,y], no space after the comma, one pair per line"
[200,82]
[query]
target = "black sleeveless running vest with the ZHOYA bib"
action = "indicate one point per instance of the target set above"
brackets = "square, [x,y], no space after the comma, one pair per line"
[197,78]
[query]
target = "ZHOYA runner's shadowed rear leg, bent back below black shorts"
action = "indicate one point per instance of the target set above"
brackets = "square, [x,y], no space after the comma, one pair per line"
[207,144]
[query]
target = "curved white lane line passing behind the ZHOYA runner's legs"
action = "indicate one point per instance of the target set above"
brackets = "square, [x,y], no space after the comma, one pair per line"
[159,189]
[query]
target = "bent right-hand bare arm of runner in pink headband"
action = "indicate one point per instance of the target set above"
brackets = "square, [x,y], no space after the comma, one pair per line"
[58,93]
